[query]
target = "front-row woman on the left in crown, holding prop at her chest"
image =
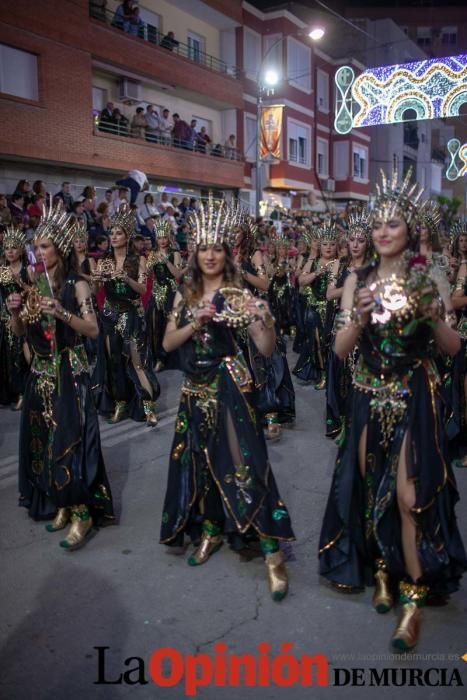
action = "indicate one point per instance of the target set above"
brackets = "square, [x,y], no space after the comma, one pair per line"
[61,470]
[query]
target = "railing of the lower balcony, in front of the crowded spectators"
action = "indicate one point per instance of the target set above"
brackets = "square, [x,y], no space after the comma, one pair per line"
[138,135]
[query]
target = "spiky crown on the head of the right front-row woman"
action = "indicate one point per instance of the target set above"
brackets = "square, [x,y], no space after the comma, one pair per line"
[394,198]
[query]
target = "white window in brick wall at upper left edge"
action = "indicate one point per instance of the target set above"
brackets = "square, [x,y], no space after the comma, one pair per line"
[19,73]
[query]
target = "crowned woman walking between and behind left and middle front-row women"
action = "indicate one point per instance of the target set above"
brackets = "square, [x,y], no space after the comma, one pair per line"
[124,380]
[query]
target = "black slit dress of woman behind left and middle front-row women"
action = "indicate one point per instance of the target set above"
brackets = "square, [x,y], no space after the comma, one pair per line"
[122,347]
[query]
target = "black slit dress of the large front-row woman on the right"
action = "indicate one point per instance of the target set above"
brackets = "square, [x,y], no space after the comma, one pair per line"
[396,392]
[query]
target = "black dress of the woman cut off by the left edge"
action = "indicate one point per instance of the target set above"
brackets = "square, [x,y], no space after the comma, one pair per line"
[13,365]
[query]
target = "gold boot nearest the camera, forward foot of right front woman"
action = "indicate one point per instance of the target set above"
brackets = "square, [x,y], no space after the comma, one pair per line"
[412,596]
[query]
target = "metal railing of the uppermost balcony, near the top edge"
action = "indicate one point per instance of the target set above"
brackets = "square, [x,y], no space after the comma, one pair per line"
[147,32]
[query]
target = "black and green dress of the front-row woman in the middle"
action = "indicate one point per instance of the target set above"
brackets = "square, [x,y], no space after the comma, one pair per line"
[219,468]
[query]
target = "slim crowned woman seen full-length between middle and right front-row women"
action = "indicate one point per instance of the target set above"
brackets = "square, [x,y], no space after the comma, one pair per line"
[317,310]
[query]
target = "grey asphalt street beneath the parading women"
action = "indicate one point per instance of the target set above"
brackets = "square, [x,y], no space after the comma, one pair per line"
[126,592]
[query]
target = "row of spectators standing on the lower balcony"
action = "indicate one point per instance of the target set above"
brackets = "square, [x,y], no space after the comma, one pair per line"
[159,127]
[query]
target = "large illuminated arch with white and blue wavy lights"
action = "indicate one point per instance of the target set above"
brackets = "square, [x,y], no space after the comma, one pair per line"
[433,88]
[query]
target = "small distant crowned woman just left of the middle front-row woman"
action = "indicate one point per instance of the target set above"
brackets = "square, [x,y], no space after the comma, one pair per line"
[166,268]
